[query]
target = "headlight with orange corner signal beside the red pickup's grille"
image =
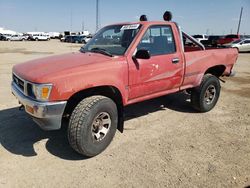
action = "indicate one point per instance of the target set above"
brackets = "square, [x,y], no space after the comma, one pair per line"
[41,91]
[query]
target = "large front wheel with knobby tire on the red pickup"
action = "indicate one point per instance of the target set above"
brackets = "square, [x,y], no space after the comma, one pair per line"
[92,125]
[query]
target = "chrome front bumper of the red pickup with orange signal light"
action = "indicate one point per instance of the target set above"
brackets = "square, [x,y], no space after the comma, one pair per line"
[48,115]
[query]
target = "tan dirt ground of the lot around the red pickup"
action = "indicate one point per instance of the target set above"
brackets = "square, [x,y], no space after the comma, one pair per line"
[165,142]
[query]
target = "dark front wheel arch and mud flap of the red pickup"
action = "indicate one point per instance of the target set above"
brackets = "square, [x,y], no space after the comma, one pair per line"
[107,91]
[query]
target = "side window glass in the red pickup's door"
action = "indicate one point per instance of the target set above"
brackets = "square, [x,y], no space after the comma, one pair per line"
[158,40]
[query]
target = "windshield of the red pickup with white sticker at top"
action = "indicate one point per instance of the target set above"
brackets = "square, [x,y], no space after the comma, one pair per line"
[112,40]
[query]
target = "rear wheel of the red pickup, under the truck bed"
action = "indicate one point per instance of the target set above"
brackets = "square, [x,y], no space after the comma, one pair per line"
[205,96]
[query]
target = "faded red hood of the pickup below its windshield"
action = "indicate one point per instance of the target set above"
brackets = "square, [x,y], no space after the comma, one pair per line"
[43,69]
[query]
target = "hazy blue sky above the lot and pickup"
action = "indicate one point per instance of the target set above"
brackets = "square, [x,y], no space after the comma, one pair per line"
[194,16]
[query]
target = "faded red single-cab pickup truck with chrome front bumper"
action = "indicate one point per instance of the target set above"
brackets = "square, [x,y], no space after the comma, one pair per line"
[122,64]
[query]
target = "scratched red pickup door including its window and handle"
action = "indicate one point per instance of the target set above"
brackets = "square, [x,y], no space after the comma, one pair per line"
[162,71]
